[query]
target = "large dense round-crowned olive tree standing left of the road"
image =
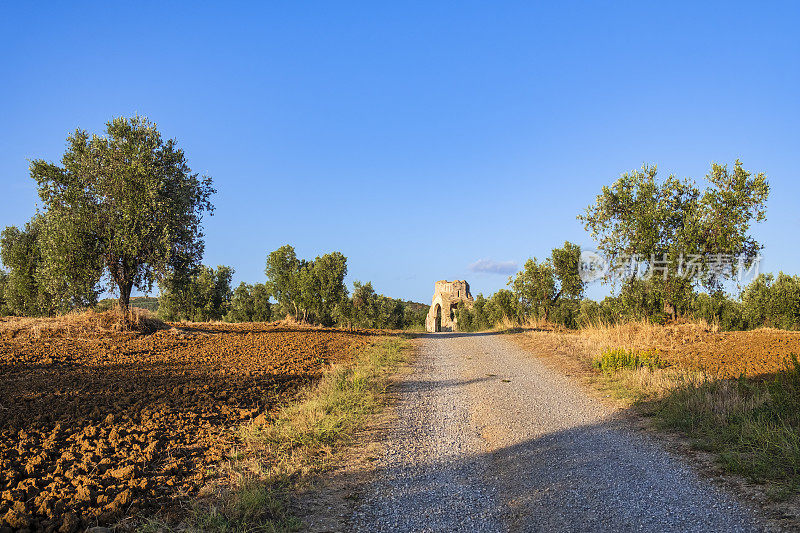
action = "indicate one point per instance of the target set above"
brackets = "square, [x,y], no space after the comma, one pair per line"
[124,204]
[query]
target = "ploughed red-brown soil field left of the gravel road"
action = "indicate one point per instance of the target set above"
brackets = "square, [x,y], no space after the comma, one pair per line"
[94,427]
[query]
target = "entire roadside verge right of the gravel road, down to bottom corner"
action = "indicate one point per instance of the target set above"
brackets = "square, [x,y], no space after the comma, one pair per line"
[742,431]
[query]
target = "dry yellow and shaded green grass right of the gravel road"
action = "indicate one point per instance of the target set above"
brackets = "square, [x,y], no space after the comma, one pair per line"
[751,423]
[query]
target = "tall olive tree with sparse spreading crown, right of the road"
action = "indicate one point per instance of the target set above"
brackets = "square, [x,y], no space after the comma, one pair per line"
[663,222]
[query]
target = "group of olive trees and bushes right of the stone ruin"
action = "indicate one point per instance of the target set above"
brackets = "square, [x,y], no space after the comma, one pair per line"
[661,222]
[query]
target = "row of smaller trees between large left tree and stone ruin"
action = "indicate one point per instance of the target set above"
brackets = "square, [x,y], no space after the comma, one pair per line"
[311,291]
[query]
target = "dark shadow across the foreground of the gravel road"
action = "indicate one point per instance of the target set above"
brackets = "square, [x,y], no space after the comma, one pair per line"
[598,477]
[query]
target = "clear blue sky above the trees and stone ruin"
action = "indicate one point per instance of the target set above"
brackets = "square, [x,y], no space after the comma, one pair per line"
[417,138]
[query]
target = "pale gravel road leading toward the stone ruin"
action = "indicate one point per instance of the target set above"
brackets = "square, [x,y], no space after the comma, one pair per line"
[489,439]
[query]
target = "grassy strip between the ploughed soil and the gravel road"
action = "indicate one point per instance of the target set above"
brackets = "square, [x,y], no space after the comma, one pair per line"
[303,438]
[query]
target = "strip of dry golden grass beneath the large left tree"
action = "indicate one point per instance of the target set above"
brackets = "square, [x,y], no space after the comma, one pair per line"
[87,323]
